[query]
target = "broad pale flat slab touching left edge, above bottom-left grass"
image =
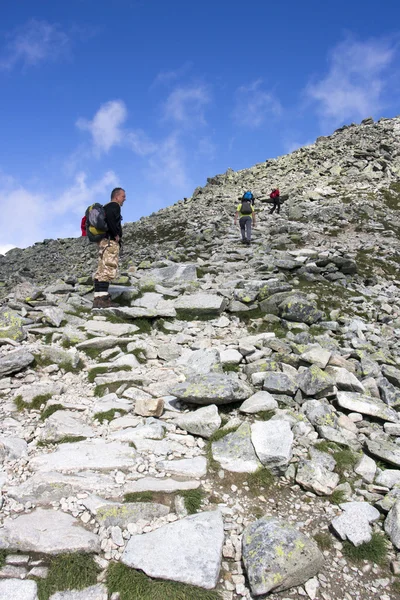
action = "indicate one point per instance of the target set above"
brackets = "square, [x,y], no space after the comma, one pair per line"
[48,532]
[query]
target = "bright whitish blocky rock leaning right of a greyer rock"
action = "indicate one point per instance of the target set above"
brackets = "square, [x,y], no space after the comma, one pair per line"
[272,441]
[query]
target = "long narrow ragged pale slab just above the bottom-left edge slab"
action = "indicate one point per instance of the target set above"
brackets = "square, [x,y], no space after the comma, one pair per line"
[44,488]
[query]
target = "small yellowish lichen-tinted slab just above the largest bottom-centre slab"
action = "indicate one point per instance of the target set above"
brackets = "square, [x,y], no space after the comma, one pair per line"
[112,515]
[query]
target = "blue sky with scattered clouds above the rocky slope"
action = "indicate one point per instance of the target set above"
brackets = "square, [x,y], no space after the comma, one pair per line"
[157,95]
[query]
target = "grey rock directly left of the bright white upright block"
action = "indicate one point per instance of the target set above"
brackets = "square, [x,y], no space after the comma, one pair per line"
[235,452]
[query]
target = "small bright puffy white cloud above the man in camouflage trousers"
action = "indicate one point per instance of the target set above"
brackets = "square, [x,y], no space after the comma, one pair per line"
[105,128]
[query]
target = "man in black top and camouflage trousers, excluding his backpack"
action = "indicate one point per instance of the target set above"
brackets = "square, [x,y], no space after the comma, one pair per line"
[109,248]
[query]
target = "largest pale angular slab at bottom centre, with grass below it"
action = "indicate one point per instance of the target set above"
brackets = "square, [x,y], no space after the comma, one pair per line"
[189,550]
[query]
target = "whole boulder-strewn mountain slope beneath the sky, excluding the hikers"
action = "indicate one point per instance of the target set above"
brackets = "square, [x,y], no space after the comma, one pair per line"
[231,428]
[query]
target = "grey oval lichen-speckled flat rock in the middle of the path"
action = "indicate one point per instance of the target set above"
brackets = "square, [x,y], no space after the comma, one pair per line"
[213,388]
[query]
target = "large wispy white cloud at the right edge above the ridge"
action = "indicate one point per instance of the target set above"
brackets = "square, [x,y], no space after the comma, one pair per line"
[353,86]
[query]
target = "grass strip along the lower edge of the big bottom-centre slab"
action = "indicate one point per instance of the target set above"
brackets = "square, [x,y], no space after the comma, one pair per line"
[134,585]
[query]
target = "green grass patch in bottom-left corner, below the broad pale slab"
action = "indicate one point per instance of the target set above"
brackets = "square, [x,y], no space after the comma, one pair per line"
[68,572]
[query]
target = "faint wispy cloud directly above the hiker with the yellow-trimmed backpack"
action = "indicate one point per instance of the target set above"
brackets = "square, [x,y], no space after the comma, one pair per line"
[255,105]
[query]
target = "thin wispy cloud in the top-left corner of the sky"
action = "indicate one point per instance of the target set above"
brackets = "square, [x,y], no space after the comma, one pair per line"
[34,42]
